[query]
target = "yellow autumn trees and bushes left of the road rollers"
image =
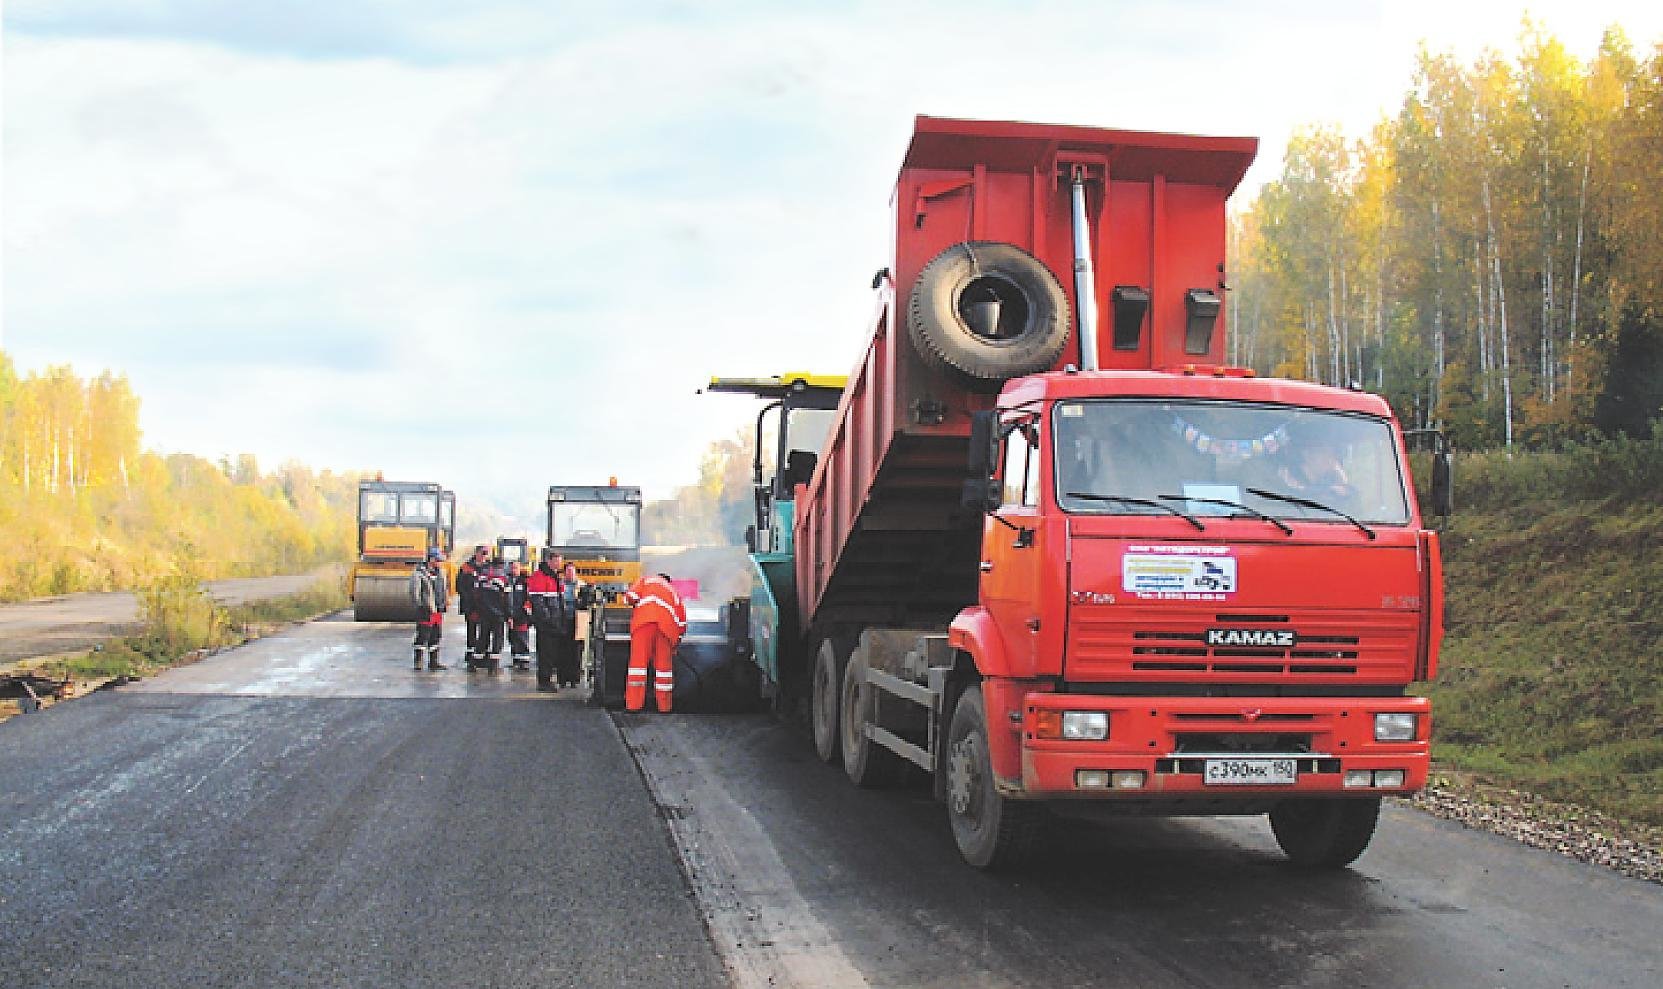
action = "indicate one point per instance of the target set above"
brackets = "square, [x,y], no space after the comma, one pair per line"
[84,508]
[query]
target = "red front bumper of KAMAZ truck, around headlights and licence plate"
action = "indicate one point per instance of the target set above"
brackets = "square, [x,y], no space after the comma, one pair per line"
[1172,741]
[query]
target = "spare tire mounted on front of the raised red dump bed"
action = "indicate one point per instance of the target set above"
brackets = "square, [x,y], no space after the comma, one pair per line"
[989,312]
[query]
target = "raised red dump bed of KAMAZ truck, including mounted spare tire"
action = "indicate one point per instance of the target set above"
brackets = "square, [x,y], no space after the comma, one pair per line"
[982,290]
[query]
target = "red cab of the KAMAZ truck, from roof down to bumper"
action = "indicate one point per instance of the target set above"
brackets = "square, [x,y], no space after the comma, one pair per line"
[1203,593]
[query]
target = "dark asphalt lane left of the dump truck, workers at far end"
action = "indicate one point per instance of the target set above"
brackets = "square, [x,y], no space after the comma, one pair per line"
[308,812]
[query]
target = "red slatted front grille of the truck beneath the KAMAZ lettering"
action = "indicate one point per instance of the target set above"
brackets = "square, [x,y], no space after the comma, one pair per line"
[1163,642]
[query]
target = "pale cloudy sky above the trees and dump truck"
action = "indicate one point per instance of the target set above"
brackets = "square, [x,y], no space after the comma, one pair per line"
[501,244]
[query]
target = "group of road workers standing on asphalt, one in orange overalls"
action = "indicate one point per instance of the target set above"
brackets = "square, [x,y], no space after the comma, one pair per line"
[505,606]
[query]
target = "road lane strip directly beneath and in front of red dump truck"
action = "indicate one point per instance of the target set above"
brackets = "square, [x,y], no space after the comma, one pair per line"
[809,882]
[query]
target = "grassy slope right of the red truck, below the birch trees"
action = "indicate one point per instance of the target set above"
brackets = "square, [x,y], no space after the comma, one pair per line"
[1552,669]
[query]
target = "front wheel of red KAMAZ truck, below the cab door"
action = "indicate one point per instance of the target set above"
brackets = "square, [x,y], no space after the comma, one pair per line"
[990,830]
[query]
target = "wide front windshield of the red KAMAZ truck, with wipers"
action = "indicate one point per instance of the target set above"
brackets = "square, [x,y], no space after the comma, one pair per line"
[1211,455]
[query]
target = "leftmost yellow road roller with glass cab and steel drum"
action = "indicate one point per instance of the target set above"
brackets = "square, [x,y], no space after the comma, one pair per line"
[398,521]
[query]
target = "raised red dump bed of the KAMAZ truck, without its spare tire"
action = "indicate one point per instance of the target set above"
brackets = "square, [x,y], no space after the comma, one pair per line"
[894,468]
